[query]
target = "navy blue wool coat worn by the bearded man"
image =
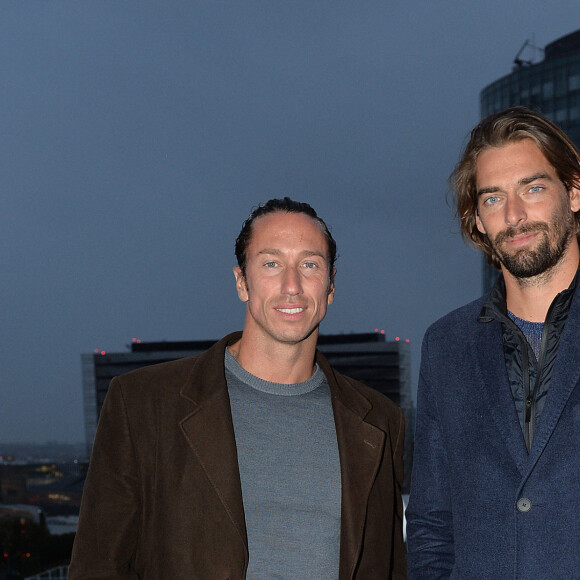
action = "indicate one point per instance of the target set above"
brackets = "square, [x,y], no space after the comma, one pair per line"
[480,506]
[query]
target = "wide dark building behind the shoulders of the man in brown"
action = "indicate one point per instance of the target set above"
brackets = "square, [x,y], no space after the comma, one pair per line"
[380,364]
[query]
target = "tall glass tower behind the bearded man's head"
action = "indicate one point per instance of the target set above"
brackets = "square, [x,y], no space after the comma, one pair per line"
[550,86]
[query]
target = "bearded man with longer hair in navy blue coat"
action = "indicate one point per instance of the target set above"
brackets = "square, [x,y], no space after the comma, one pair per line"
[496,479]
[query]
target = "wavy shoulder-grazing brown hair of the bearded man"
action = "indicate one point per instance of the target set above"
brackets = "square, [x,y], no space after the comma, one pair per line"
[509,126]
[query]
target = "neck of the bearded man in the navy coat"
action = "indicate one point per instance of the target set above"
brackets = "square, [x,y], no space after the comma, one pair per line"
[530,298]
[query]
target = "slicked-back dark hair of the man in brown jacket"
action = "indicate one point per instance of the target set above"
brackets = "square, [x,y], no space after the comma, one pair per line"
[282,205]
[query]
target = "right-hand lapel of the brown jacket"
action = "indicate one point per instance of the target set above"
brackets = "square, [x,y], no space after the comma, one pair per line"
[360,446]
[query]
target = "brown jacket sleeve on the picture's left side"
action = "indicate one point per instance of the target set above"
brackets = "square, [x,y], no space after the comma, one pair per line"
[109,521]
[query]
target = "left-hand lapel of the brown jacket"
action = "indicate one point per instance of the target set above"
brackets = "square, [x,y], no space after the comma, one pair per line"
[209,430]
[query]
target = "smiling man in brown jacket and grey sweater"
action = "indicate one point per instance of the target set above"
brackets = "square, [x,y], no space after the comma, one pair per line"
[255,459]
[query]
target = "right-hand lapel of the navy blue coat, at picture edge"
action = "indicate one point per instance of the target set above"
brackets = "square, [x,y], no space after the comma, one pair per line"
[565,378]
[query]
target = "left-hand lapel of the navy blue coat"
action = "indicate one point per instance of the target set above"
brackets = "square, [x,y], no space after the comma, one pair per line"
[488,346]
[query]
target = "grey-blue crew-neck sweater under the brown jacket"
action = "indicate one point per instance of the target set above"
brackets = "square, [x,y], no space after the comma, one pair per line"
[290,474]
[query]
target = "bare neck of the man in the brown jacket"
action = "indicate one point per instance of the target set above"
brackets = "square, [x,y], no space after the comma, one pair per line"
[278,363]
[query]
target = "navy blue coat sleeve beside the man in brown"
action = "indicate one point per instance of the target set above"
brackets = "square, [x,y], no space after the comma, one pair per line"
[429,515]
